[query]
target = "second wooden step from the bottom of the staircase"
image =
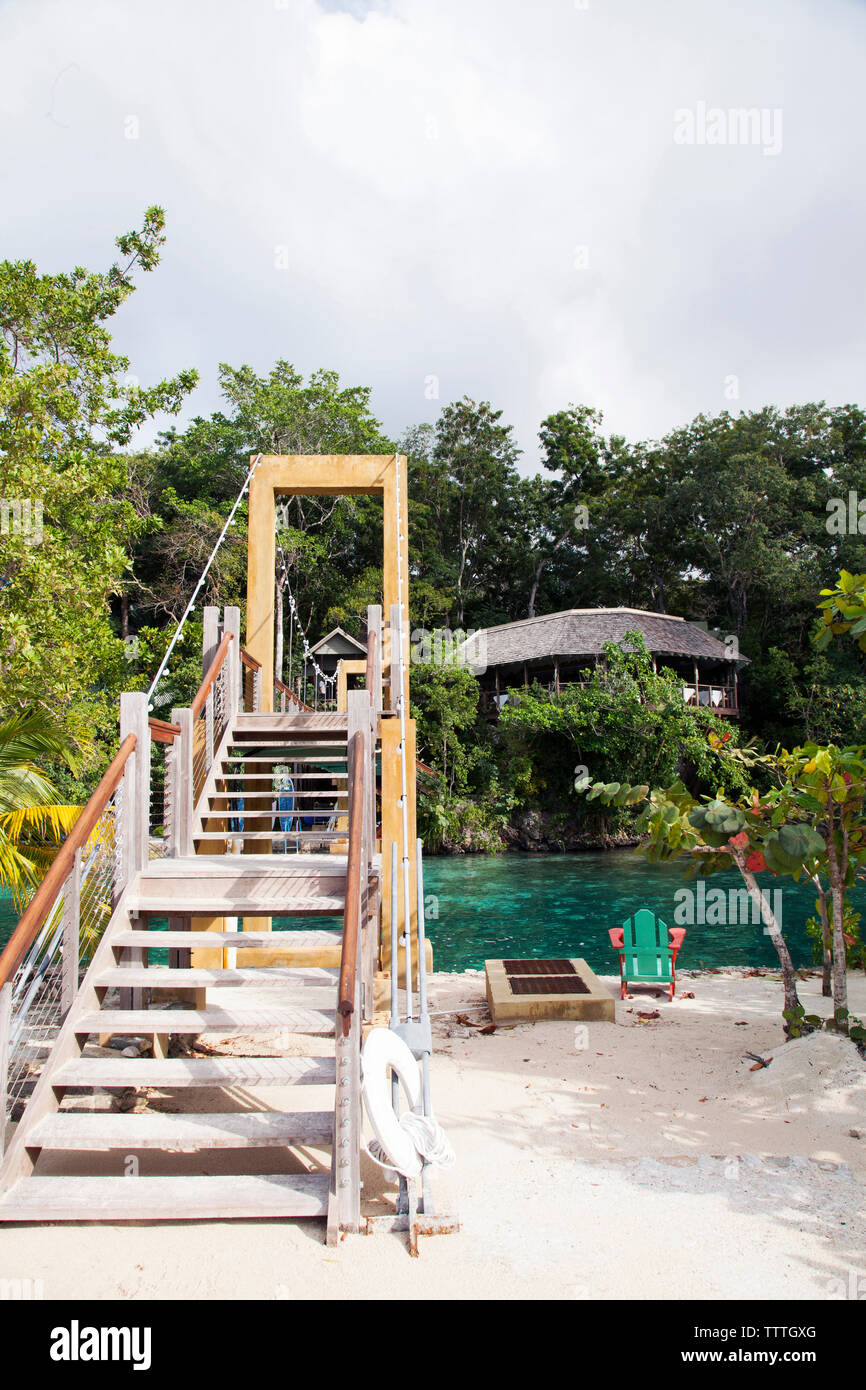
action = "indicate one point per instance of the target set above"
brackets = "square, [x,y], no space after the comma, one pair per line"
[183,1134]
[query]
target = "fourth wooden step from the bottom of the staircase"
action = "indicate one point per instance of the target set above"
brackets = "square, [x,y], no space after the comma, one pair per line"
[206,1021]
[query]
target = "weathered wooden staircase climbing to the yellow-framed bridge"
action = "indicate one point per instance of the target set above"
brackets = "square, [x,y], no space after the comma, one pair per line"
[243,1146]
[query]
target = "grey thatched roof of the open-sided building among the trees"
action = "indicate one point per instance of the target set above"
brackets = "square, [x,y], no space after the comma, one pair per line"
[585,632]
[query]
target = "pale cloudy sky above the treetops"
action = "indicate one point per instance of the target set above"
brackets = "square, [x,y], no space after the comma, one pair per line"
[528,204]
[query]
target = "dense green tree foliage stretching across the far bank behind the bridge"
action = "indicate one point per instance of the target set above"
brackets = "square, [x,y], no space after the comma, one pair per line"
[735,521]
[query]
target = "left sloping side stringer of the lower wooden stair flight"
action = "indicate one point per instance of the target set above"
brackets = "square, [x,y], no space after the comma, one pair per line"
[69,1045]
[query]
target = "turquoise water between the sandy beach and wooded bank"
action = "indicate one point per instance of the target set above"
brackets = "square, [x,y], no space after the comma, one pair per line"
[561,906]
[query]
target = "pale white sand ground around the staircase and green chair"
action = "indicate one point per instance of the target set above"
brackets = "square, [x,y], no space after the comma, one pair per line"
[635,1160]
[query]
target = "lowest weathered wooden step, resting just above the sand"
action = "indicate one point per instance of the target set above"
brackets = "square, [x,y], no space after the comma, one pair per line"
[166,1199]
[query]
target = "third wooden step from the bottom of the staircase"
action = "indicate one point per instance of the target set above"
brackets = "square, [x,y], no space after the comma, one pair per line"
[183,1072]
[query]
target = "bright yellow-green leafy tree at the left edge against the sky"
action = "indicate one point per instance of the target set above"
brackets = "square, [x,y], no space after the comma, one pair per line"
[67,407]
